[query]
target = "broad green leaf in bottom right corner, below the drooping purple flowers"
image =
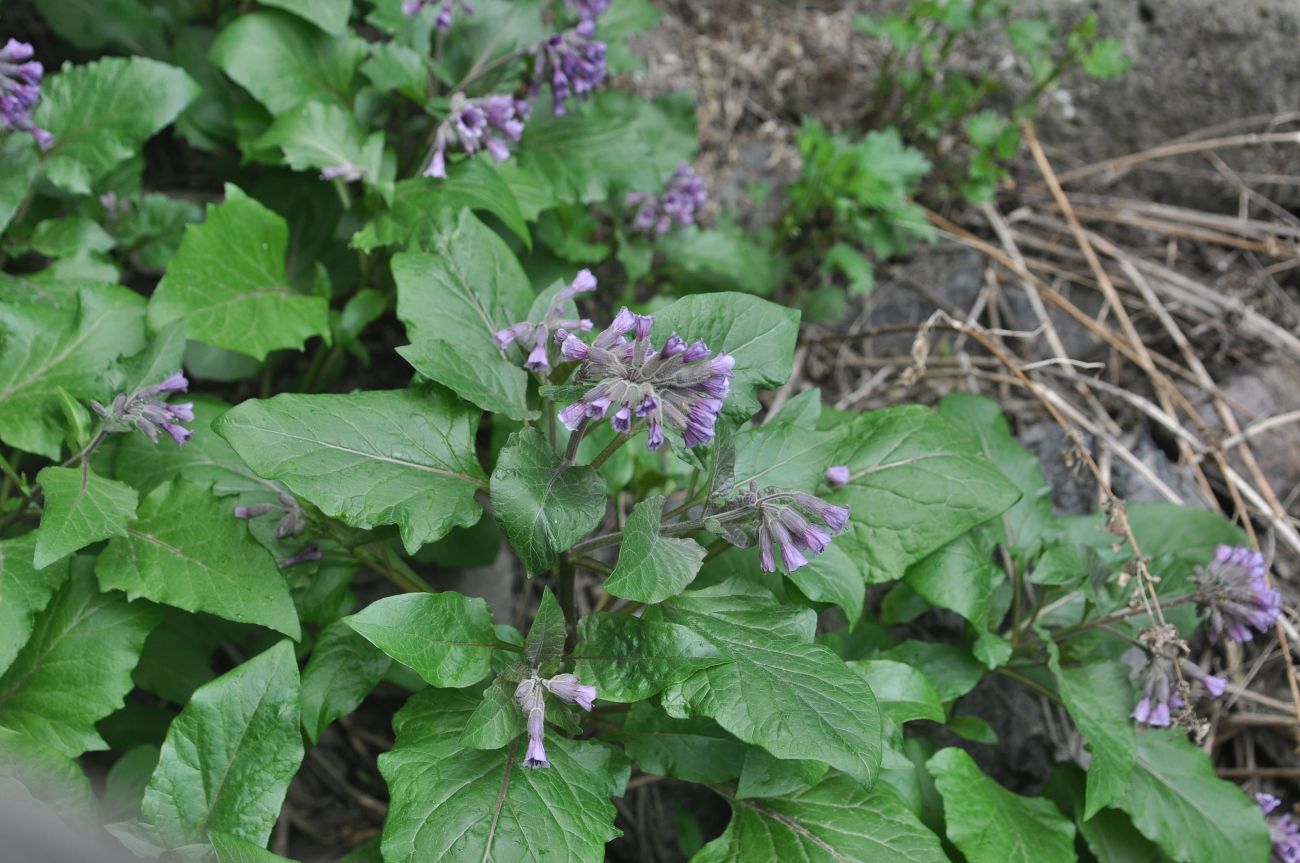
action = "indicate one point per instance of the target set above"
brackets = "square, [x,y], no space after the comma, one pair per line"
[1178,803]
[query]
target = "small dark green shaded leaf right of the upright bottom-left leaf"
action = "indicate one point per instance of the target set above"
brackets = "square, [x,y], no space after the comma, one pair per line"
[344,670]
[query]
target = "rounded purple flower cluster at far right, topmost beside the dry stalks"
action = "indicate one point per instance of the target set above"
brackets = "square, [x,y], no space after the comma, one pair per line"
[1236,595]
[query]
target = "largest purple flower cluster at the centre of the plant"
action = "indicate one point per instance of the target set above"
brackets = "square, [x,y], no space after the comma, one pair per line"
[682,387]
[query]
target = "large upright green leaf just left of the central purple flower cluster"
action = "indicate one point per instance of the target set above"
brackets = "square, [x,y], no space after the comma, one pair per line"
[453,301]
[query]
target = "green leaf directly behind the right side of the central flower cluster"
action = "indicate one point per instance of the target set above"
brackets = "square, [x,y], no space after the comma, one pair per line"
[760,335]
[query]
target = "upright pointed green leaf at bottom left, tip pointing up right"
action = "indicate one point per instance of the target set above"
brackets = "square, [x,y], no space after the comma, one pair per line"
[229,757]
